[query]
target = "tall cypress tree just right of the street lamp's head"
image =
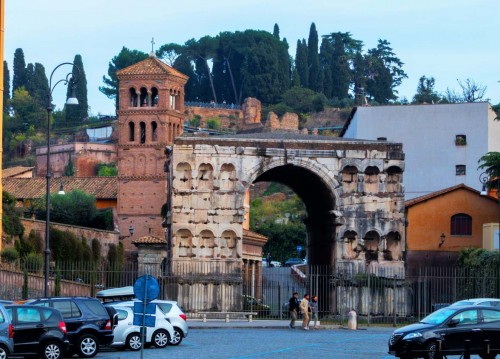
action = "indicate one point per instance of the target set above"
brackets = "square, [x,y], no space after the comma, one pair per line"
[76,113]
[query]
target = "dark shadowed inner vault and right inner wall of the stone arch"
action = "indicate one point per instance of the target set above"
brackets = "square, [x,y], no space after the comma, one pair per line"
[316,189]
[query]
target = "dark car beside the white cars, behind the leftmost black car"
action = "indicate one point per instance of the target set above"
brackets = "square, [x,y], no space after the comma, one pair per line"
[89,323]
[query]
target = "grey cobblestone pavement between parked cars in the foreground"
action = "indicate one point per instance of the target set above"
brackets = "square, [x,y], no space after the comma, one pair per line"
[271,343]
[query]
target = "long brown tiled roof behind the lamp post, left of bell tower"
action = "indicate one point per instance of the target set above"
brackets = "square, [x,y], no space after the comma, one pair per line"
[26,188]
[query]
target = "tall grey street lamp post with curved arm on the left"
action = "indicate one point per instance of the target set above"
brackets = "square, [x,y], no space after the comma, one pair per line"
[70,80]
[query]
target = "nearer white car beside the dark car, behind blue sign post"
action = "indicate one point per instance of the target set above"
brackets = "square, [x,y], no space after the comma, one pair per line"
[128,335]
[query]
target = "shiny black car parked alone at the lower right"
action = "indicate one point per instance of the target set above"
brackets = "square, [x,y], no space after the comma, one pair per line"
[452,326]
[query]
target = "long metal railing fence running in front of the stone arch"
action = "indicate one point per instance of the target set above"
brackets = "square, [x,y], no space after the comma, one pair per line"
[379,296]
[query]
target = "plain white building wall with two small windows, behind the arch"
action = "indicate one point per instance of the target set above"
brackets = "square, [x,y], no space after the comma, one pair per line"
[428,134]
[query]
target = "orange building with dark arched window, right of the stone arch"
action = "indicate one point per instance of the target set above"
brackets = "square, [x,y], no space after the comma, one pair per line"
[443,222]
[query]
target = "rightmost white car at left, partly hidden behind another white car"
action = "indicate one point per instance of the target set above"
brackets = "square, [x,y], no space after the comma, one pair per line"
[169,310]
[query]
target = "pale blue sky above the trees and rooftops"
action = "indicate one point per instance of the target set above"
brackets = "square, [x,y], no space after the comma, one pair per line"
[444,39]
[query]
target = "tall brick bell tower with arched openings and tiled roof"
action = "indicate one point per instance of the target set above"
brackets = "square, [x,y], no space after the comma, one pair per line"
[150,116]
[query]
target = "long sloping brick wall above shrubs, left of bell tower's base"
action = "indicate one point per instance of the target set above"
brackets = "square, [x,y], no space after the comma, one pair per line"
[105,237]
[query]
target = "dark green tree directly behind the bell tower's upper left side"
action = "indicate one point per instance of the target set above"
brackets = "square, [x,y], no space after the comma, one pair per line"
[124,59]
